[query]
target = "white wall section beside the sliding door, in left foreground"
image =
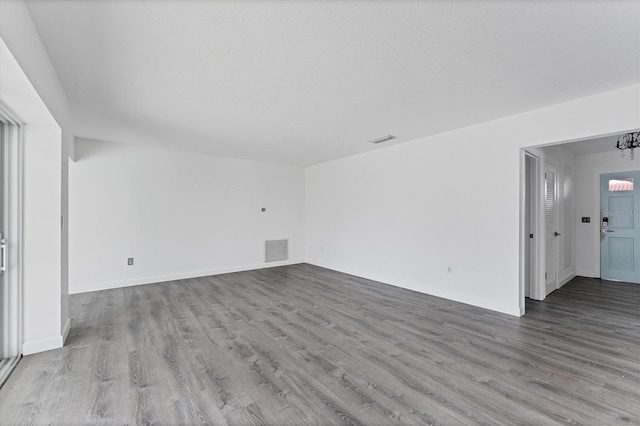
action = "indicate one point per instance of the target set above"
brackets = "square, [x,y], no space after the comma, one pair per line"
[46,319]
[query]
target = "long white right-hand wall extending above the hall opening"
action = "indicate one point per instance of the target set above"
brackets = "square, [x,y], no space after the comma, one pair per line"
[400,215]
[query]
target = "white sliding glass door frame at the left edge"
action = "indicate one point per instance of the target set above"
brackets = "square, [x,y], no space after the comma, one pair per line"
[12,203]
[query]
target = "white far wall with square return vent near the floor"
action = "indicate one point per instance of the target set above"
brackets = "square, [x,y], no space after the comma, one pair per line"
[179,214]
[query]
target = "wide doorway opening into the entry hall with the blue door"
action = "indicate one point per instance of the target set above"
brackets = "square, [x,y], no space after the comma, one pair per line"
[575,185]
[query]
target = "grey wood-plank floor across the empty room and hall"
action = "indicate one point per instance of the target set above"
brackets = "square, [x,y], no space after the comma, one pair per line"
[306,345]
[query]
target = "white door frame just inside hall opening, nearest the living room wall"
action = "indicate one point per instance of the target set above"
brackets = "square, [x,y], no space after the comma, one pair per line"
[537,227]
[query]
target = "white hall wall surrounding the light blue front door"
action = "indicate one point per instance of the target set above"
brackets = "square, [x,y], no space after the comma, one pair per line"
[589,168]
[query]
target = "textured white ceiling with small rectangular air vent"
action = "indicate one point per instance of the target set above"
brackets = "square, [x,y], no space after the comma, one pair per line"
[303,82]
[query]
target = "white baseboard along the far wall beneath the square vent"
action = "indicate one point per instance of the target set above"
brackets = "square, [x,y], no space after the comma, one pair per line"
[173,277]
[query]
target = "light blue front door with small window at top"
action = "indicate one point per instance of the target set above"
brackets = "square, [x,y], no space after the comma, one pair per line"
[620,226]
